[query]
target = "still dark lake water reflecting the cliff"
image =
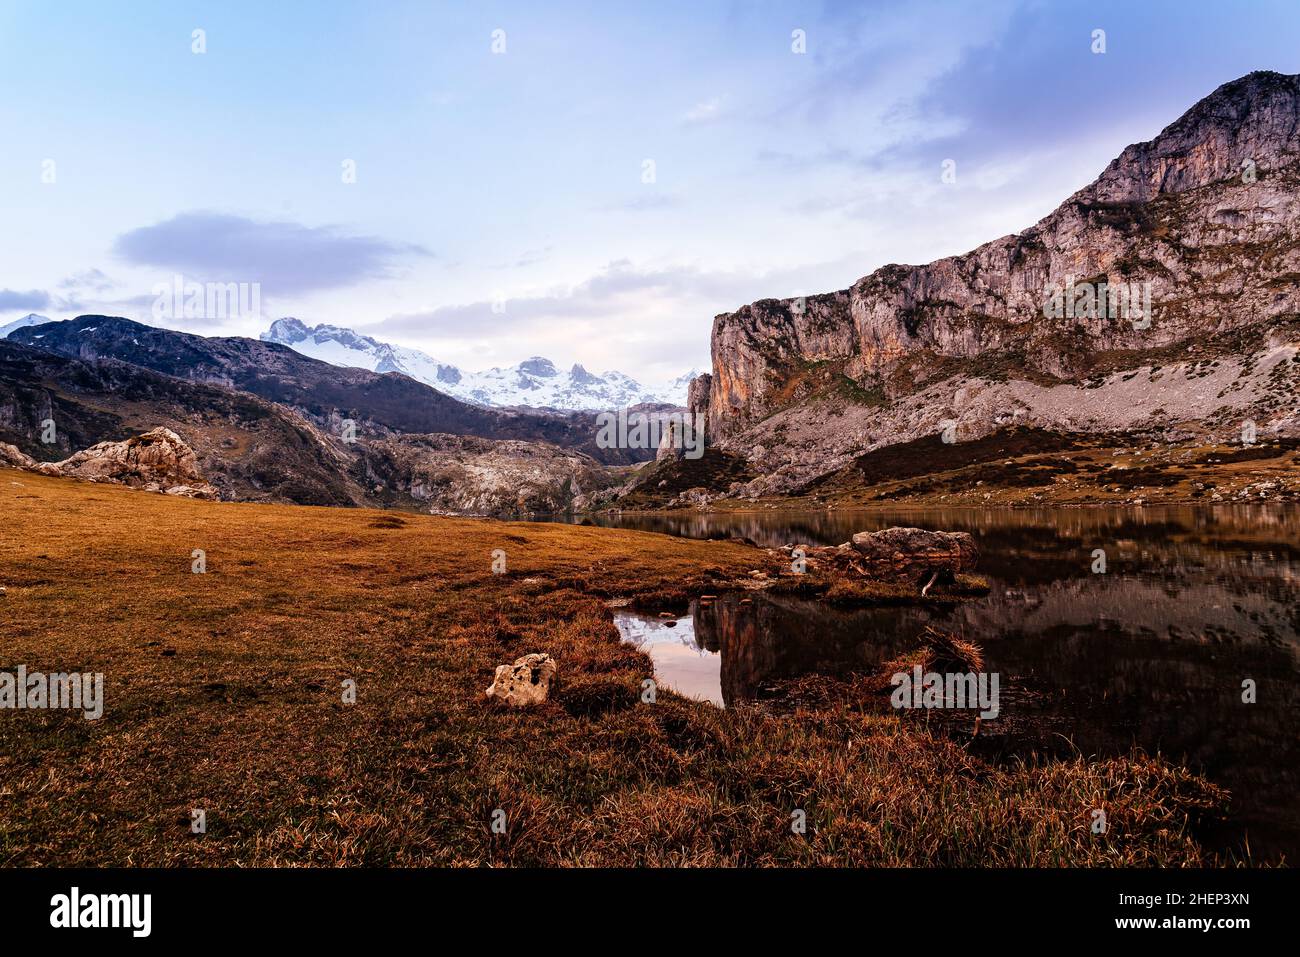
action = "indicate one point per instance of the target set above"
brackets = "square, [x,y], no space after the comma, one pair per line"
[1151,653]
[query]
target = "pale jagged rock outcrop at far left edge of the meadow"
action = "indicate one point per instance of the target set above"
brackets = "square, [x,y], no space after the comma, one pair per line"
[159,461]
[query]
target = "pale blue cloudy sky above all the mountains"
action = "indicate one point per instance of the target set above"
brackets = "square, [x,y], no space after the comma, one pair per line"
[591,183]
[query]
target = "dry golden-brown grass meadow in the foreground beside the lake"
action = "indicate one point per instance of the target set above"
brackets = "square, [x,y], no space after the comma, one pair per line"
[224,694]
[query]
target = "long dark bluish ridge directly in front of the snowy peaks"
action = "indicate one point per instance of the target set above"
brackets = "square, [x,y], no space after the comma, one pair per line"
[324,395]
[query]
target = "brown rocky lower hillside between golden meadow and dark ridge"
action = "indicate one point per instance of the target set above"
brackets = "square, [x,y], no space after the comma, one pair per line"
[109,418]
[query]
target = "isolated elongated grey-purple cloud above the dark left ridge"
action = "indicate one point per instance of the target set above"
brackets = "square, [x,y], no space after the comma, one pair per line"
[284,257]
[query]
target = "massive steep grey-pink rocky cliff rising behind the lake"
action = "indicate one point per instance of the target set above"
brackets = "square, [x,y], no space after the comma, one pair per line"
[1164,297]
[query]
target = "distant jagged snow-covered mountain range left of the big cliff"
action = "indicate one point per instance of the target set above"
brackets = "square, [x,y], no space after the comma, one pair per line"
[535,383]
